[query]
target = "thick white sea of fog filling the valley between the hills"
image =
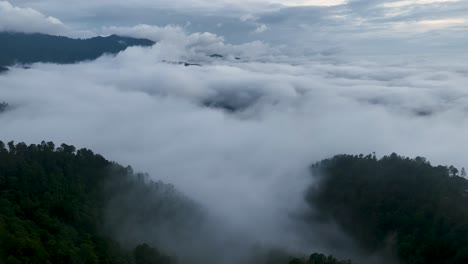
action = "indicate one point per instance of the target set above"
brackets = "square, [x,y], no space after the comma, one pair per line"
[248,166]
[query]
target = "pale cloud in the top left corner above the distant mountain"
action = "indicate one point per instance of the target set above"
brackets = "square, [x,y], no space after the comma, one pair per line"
[28,20]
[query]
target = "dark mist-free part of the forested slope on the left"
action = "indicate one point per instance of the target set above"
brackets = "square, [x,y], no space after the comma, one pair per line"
[51,205]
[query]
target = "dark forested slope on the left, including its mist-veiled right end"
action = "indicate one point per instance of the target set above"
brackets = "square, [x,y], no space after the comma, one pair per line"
[62,205]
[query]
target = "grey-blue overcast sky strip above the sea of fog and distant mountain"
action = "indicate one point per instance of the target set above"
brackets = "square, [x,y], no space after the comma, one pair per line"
[364,27]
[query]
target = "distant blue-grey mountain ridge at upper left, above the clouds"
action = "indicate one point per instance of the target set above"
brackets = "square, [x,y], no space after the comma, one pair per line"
[21,48]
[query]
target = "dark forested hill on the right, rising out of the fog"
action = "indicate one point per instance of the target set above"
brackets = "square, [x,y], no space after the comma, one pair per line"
[420,210]
